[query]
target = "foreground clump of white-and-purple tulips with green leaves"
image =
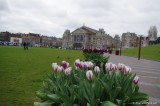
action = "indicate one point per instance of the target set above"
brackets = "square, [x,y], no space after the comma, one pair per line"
[89,85]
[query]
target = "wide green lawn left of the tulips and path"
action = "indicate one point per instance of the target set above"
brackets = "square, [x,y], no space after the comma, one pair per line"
[22,72]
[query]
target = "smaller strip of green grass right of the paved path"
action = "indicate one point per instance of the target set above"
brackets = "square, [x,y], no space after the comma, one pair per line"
[149,52]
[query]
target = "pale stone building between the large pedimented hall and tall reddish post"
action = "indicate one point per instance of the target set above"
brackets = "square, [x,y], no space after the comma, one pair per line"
[129,40]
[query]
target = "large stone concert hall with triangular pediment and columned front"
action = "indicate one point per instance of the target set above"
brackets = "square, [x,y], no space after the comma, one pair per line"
[87,38]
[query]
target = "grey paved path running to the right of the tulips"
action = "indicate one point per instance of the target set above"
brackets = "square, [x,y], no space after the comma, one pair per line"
[149,73]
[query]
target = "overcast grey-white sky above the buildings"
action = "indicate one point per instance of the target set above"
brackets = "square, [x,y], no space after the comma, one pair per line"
[52,17]
